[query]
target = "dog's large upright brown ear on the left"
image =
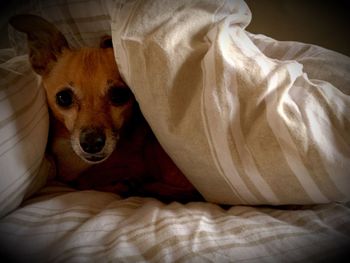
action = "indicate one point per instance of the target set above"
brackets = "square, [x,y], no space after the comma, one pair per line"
[45,41]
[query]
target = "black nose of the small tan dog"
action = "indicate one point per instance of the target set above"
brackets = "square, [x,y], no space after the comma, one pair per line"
[92,140]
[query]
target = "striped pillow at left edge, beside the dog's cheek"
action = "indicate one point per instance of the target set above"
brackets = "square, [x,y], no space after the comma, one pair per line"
[23,133]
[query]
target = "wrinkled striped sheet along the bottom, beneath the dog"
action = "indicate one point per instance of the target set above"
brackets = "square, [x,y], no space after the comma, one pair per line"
[61,225]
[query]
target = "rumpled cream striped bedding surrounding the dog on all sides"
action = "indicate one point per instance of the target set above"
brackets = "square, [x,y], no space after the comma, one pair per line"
[259,126]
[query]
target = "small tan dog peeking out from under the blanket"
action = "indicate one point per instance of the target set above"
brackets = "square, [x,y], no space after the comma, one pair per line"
[98,136]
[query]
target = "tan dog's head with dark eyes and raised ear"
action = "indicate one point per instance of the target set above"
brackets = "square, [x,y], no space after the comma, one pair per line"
[84,89]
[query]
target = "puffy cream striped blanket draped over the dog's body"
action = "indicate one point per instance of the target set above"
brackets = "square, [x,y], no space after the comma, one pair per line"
[249,120]
